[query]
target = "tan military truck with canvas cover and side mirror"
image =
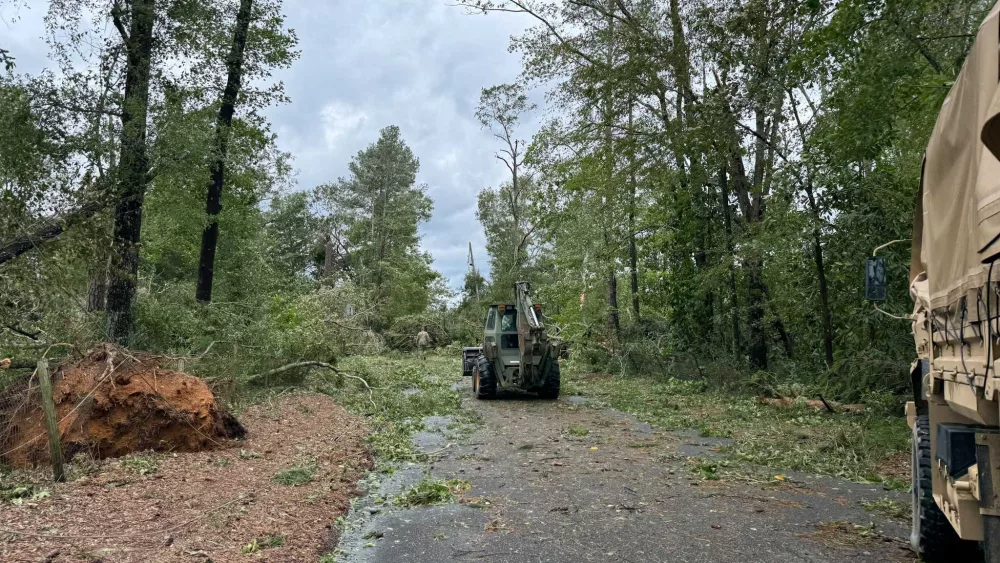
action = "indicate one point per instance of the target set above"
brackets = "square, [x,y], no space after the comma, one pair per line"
[955,285]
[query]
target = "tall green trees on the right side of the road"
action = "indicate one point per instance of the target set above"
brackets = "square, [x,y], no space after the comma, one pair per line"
[711,176]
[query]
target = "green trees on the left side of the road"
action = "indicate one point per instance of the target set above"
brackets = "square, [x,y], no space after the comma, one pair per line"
[146,203]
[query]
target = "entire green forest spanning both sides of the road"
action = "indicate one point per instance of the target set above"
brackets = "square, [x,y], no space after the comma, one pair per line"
[708,181]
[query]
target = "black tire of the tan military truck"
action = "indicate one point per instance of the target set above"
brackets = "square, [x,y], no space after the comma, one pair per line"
[931,536]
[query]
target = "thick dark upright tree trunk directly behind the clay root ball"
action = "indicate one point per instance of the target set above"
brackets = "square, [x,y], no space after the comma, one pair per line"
[133,174]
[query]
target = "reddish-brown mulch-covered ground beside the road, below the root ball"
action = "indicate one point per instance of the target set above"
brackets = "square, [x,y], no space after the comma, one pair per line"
[209,505]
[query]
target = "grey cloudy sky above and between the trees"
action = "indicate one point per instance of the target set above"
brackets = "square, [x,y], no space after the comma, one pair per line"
[366,64]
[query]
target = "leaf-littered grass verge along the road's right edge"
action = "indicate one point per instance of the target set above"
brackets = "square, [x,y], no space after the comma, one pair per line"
[797,438]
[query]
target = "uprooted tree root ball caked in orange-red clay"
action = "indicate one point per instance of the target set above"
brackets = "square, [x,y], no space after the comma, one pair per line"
[112,403]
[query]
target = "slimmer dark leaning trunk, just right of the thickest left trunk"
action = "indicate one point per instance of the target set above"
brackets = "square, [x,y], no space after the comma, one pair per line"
[213,203]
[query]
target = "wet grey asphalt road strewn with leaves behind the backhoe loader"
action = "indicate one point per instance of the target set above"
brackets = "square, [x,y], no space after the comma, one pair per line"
[621,493]
